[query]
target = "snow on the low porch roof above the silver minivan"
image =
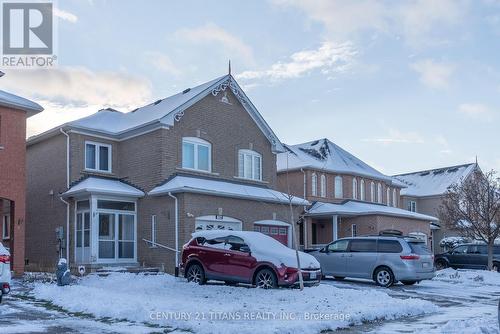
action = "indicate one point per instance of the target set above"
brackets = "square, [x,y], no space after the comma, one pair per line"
[356,208]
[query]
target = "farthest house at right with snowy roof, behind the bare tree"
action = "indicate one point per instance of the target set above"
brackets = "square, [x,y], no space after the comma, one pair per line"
[425,190]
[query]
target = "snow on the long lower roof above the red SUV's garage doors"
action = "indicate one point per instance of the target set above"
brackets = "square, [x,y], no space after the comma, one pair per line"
[182,183]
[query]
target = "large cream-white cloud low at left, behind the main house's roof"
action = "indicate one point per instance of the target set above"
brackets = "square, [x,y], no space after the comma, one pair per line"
[68,93]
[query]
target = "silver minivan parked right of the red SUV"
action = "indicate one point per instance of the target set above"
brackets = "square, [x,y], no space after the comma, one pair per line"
[385,259]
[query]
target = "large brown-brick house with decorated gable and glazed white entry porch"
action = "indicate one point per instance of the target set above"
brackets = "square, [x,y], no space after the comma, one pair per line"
[129,188]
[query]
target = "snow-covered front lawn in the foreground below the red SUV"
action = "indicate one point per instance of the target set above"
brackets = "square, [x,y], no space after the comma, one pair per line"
[172,302]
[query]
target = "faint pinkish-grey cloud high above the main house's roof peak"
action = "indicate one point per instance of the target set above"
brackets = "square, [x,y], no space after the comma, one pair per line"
[212,33]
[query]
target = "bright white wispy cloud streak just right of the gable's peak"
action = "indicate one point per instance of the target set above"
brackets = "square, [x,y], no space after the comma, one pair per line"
[329,58]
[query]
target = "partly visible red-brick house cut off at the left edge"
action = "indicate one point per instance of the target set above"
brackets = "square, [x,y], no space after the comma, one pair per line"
[14,111]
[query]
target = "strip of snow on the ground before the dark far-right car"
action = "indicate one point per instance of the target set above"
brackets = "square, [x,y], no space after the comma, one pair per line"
[468,277]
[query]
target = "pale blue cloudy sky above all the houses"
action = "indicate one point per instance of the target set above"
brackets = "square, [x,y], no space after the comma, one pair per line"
[404,85]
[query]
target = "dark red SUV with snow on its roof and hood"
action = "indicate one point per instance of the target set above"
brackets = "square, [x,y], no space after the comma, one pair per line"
[245,257]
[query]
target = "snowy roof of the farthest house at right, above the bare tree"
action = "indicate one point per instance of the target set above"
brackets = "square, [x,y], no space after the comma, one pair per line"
[435,181]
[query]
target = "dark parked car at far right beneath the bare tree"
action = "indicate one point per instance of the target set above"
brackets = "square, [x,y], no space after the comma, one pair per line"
[470,256]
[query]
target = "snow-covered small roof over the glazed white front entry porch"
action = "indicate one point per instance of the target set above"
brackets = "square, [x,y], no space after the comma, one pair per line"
[98,185]
